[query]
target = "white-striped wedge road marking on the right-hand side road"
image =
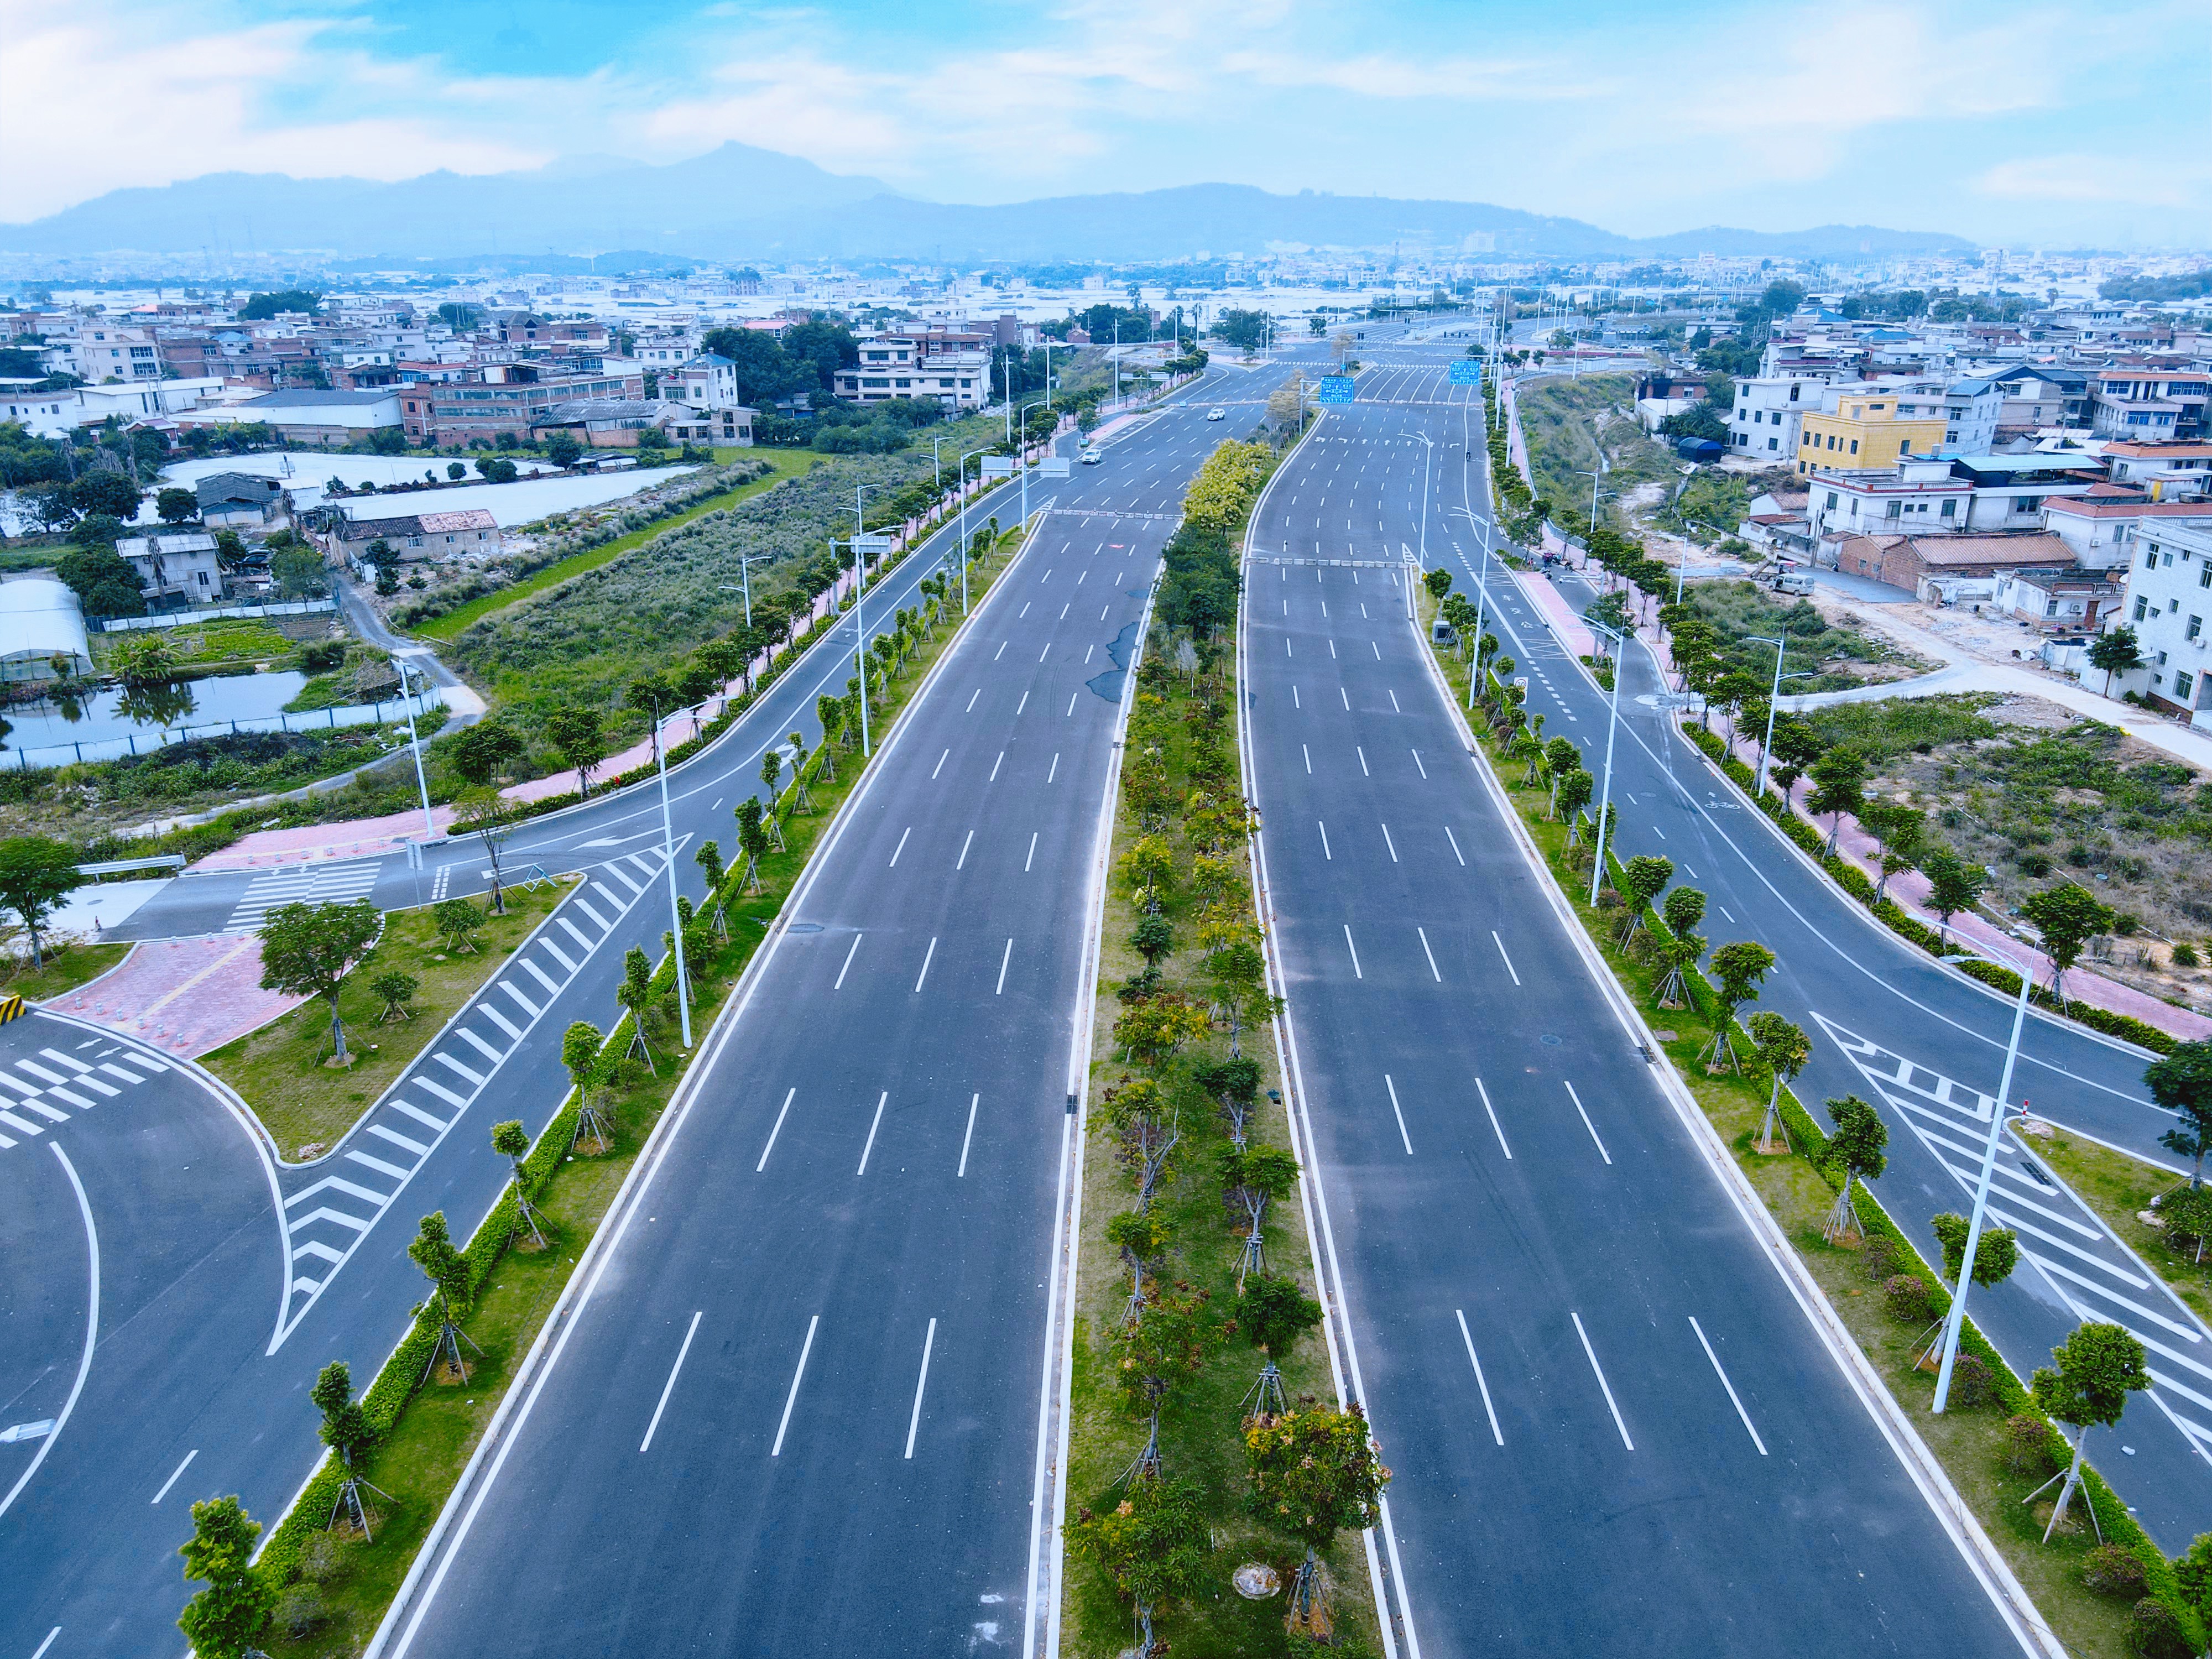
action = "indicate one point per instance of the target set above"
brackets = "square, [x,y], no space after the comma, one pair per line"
[2091,1273]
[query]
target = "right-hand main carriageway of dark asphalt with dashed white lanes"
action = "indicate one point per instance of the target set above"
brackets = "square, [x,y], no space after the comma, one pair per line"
[1583,1364]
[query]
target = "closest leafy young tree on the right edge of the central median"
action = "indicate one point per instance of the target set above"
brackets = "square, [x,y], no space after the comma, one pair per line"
[1315,1474]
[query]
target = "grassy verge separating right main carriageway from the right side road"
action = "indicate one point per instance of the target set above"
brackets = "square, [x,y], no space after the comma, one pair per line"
[1972,1441]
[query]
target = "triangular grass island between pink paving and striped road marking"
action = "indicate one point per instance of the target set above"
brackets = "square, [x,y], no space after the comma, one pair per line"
[280,1070]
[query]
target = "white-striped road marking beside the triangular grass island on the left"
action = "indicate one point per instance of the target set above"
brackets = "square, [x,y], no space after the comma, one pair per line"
[346,1193]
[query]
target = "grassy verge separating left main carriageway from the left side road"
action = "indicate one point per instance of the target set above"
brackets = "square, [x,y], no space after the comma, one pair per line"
[335,1585]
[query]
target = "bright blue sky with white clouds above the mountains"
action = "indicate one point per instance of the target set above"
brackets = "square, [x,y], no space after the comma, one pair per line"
[2027,125]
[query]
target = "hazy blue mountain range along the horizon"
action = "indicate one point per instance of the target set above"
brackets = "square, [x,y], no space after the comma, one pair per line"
[742,202]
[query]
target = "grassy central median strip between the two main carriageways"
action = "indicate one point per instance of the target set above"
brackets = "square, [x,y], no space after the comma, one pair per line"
[1182,740]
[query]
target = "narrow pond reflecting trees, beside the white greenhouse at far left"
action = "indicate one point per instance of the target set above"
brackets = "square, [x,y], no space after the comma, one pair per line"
[116,722]
